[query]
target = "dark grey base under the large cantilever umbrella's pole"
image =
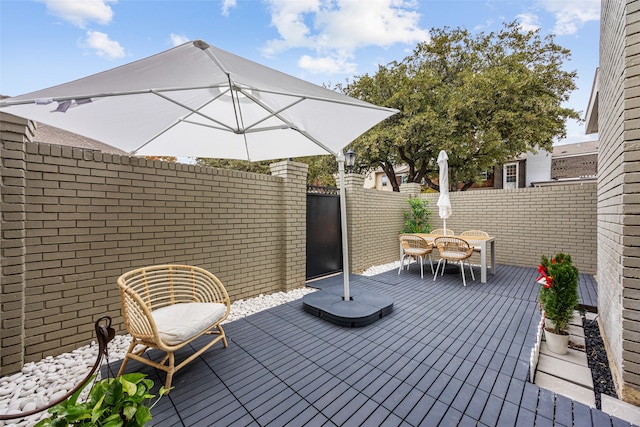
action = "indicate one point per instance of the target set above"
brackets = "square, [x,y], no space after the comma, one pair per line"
[364,307]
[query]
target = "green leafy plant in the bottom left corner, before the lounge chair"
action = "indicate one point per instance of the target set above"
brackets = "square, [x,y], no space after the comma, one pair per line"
[112,402]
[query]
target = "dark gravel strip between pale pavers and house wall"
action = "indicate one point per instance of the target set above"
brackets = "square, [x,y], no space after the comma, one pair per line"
[598,361]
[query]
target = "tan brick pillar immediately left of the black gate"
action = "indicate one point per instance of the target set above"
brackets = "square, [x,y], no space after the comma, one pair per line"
[294,213]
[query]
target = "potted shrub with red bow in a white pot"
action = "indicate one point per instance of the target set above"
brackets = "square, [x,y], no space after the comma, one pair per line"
[558,297]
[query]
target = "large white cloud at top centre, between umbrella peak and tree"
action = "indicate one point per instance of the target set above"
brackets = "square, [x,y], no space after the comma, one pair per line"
[333,30]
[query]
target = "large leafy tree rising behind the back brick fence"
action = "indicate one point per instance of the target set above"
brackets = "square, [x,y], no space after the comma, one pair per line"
[484,98]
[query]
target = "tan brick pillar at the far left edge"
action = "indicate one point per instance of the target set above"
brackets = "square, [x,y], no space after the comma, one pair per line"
[14,134]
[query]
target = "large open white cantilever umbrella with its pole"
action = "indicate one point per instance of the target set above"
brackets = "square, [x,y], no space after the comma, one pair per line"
[196,100]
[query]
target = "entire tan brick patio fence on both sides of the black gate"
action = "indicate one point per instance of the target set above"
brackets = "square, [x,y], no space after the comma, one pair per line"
[73,220]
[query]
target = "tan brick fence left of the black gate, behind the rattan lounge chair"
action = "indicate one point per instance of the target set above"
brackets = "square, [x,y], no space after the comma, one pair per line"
[74,220]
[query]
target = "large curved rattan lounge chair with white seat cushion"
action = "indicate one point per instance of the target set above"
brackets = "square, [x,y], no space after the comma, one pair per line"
[168,307]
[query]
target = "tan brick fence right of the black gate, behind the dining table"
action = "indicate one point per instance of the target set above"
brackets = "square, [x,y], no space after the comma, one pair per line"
[527,222]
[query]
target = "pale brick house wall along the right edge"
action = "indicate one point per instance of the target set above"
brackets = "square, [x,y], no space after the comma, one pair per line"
[618,192]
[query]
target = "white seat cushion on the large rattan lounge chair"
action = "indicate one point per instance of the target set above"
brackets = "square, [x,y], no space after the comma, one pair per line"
[179,322]
